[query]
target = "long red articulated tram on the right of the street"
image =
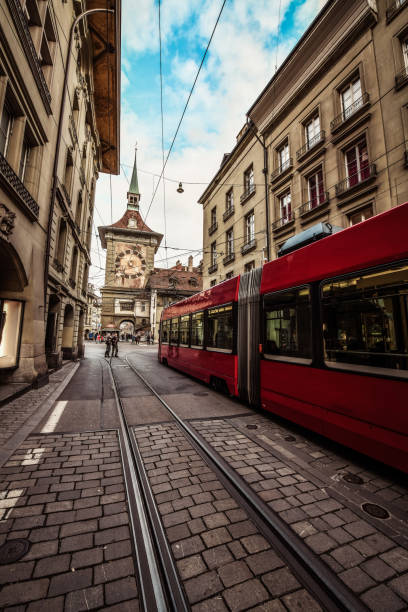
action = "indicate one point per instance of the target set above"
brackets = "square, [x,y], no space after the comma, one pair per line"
[318,336]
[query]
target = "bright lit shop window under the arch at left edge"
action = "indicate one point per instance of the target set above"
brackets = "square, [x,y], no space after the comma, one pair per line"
[11,314]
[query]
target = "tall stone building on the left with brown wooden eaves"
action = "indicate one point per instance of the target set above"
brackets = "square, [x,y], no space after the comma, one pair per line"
[59,123]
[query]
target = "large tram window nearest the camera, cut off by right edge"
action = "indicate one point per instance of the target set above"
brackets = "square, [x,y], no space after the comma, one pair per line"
[365,320]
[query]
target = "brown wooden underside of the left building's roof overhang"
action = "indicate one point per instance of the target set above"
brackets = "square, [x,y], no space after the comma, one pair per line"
[105,32]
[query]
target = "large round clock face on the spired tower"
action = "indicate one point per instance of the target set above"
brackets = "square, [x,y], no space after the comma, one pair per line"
[130,265]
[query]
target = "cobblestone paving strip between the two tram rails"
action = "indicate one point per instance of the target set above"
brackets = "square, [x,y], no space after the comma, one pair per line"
[225,563]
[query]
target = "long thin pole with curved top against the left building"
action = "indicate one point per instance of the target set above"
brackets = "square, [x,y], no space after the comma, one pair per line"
[58,143]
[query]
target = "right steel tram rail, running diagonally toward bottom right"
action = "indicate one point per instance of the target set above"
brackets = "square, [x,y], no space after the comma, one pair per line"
[331,592]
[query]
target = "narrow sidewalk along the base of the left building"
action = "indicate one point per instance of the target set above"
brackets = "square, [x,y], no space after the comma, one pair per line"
[14,414]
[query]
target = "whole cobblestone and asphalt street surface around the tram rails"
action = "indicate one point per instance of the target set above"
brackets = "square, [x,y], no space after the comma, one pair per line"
[64,497]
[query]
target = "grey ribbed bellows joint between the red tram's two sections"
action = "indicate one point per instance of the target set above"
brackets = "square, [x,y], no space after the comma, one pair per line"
[248,336]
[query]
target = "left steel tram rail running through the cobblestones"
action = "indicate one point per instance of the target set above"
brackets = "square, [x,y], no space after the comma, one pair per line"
[158,557]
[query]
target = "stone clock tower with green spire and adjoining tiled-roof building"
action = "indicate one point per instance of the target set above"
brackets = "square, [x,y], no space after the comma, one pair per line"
[135,291]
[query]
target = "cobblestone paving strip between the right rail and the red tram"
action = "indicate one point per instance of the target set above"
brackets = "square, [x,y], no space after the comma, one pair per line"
[366,555]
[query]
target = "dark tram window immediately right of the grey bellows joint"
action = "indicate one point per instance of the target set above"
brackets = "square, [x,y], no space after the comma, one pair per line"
[288,324]
